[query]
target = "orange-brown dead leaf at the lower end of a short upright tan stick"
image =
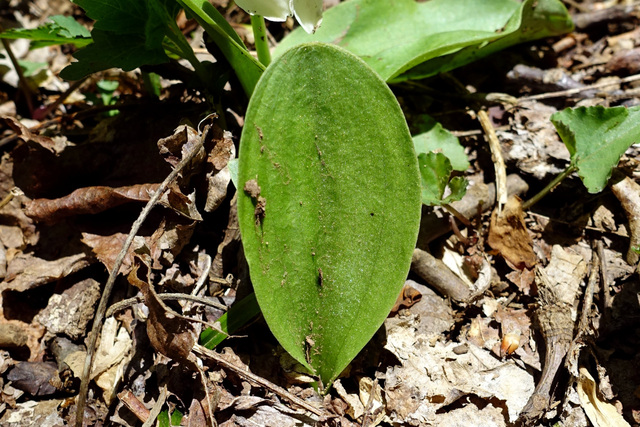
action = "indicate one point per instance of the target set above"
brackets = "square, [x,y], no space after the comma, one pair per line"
[508,235]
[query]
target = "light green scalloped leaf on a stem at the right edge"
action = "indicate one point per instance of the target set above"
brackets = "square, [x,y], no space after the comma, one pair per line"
[596,138]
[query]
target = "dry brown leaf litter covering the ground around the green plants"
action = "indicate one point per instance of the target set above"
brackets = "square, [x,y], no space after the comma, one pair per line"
[549,337]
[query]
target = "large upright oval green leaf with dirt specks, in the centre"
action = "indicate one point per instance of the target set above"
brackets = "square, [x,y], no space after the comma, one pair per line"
[329,233]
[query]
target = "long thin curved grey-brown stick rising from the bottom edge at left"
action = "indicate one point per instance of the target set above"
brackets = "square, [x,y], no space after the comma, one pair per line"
[102,307]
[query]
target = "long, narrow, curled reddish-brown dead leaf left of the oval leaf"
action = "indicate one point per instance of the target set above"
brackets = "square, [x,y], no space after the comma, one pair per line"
[89,200]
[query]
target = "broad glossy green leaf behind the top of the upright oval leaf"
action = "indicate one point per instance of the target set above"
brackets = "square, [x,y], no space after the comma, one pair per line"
[404,39]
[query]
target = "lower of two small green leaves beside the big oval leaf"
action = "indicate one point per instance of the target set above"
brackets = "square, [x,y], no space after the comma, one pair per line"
[435,170]
